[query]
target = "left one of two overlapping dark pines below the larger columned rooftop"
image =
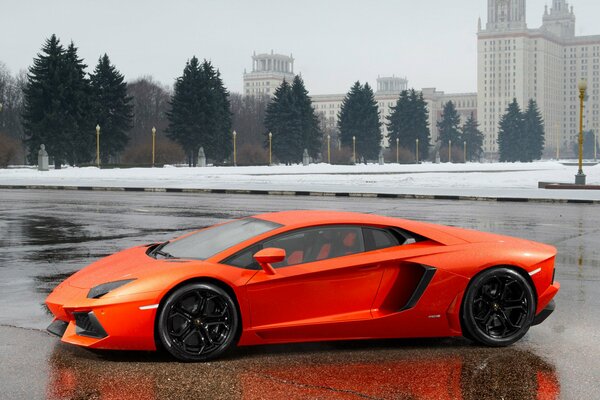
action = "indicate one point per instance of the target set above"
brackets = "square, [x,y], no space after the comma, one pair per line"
[281,120]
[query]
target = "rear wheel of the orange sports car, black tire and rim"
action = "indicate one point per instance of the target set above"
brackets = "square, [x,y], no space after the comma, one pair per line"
[498,308]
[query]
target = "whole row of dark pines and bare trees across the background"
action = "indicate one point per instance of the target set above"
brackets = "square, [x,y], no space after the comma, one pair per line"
[61,104]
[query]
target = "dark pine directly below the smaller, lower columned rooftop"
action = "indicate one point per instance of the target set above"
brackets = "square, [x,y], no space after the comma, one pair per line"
[409,121]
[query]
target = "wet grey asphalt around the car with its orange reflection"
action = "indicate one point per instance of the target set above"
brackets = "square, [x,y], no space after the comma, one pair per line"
[47,235]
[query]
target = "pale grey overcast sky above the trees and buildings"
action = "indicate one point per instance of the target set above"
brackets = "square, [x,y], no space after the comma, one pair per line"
[334,42]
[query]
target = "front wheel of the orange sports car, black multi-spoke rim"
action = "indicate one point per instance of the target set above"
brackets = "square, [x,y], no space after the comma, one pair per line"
[198,322]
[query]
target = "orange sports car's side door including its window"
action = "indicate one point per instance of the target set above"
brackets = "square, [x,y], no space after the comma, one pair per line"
[325,277]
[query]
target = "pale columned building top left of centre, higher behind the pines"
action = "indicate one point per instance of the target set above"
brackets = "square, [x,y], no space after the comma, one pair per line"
[268,72]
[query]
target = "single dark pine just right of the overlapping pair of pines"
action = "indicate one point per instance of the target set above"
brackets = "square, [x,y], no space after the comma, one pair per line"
[359,118]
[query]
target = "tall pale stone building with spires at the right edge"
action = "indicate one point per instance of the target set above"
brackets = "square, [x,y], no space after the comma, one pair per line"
[544,64]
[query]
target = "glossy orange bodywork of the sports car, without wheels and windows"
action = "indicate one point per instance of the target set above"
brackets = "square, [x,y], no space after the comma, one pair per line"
[357,296]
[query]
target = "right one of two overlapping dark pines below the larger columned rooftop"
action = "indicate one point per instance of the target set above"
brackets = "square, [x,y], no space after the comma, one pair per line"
[309,122]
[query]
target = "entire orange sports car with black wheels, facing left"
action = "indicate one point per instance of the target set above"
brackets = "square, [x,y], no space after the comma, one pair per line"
[299,276]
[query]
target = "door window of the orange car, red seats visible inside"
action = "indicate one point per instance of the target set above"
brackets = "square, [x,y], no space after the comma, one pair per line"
[317,244]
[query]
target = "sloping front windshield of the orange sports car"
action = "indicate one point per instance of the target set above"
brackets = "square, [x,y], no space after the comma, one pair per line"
[208,242]
